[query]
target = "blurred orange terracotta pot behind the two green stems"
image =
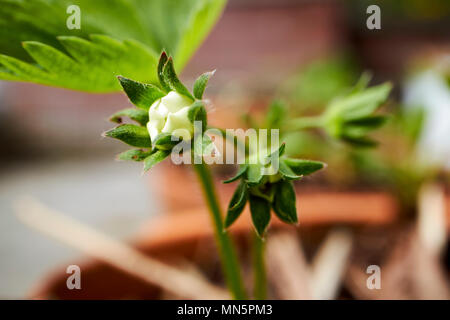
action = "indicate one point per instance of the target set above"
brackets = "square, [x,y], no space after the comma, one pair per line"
[188,236]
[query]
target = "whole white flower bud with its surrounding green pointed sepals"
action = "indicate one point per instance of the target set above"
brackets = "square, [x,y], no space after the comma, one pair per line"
[165,114]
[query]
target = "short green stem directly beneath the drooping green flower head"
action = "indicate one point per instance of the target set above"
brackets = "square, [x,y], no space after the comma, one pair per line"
[259,269]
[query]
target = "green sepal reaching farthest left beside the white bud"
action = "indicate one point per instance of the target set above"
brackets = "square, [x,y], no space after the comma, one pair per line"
[131,134]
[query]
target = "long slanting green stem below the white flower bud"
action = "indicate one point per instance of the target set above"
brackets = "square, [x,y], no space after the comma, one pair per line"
[227,253]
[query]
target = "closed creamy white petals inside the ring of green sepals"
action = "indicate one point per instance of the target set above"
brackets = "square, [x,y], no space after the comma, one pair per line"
[170,115]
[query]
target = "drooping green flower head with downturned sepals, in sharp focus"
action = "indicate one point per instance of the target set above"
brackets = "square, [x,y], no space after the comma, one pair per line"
[268,184]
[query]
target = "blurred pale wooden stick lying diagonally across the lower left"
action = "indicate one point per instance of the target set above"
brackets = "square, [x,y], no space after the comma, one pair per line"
[100,246]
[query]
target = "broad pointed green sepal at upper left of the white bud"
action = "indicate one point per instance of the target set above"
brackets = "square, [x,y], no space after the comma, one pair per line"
[140,94]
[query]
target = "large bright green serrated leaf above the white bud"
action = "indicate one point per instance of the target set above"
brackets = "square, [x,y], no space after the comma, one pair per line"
[129,36]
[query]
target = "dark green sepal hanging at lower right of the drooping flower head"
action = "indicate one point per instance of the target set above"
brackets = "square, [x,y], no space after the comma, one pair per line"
[284,202]
